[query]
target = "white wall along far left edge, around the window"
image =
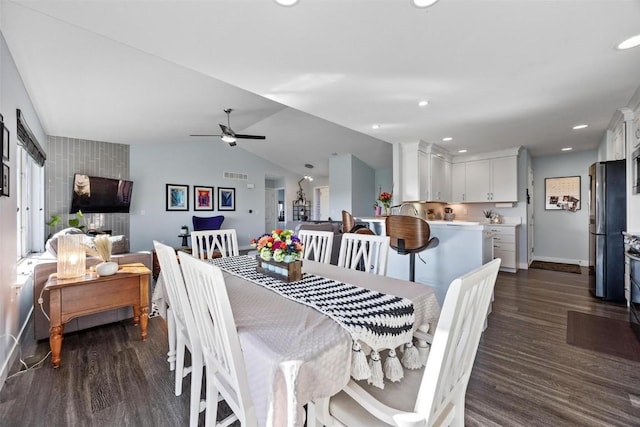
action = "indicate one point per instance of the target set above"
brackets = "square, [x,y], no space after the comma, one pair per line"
[15,305]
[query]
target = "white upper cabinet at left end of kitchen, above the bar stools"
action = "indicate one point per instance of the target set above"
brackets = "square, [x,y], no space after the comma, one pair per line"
[425,172]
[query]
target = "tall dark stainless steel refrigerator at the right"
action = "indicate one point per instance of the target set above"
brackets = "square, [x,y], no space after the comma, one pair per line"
[607,221]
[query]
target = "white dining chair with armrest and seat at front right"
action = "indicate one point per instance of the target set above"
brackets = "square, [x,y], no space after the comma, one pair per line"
[435,394]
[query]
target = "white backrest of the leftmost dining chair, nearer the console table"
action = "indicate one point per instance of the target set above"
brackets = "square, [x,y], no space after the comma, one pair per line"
[177,292]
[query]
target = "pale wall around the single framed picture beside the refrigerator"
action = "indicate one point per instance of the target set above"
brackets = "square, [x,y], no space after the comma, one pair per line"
[562,236]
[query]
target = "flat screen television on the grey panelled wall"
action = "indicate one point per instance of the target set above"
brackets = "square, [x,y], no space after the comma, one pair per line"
[92,194]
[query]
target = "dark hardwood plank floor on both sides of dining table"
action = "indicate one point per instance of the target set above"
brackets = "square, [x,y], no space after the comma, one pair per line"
[525,373]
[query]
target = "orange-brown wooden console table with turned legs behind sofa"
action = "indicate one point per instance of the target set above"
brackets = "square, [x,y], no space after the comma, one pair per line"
[89,294]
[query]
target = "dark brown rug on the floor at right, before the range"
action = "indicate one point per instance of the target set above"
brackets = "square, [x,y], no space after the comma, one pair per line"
[601,334]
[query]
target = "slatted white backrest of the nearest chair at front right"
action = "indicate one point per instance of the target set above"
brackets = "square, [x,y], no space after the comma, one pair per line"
[455,343]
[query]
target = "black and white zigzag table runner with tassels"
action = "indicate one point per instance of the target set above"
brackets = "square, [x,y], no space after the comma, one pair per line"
[376,319]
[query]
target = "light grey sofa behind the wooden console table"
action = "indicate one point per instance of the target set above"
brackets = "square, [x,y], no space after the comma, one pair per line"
[43,270]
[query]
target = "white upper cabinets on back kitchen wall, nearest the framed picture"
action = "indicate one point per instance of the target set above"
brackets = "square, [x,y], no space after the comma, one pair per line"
[491,177]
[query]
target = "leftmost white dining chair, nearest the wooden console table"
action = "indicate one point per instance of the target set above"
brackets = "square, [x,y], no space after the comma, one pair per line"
[184,327]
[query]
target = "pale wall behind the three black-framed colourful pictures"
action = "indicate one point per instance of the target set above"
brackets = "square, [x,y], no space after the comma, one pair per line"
[153,166]
